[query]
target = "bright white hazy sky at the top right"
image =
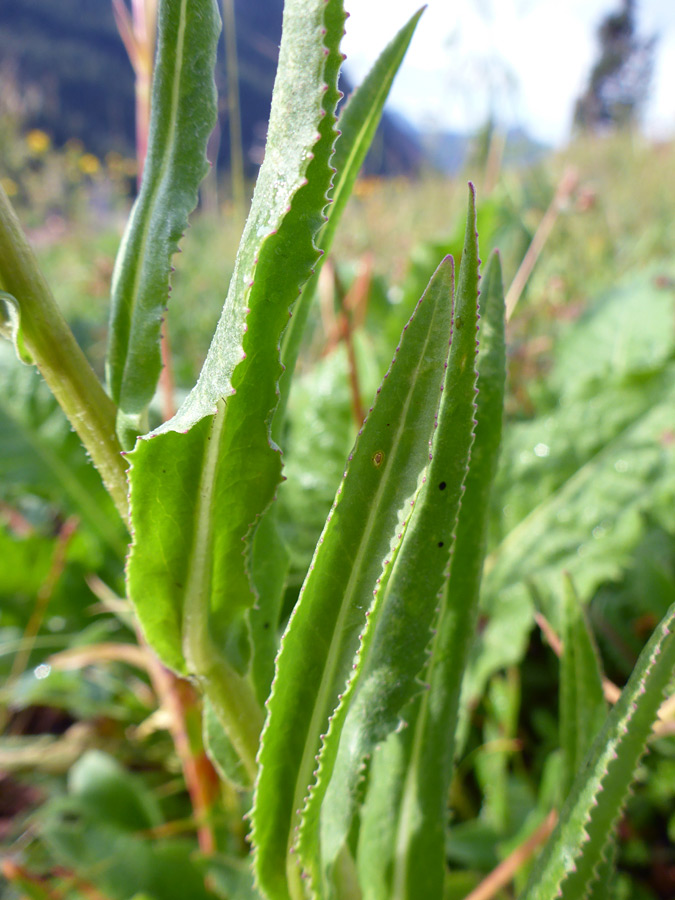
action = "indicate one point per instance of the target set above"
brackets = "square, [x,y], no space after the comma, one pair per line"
[528,60]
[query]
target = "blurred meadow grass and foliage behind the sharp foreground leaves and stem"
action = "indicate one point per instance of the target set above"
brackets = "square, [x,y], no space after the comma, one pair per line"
[105,791]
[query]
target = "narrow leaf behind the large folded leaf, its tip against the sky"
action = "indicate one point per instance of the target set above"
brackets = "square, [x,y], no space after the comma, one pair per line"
[357,123]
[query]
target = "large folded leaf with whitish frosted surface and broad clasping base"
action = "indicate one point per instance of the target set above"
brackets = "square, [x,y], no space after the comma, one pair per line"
[200,482]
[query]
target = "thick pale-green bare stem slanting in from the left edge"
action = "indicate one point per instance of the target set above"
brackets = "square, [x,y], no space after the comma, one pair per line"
[59,358]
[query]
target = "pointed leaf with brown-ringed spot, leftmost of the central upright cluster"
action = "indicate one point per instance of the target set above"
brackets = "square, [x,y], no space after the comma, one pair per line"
[363,531]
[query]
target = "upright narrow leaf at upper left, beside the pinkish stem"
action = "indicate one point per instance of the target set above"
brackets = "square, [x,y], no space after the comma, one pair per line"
[182,118]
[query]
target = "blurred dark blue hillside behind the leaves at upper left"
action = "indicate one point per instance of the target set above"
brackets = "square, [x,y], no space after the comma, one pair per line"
[69,64]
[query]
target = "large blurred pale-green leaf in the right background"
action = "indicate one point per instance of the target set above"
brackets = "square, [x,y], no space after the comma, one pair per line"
[577,498]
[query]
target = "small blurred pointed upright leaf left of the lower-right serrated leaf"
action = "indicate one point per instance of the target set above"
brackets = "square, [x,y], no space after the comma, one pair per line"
[582,703]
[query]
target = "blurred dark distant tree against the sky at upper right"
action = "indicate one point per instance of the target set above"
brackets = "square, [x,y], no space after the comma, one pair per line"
[620,79]
